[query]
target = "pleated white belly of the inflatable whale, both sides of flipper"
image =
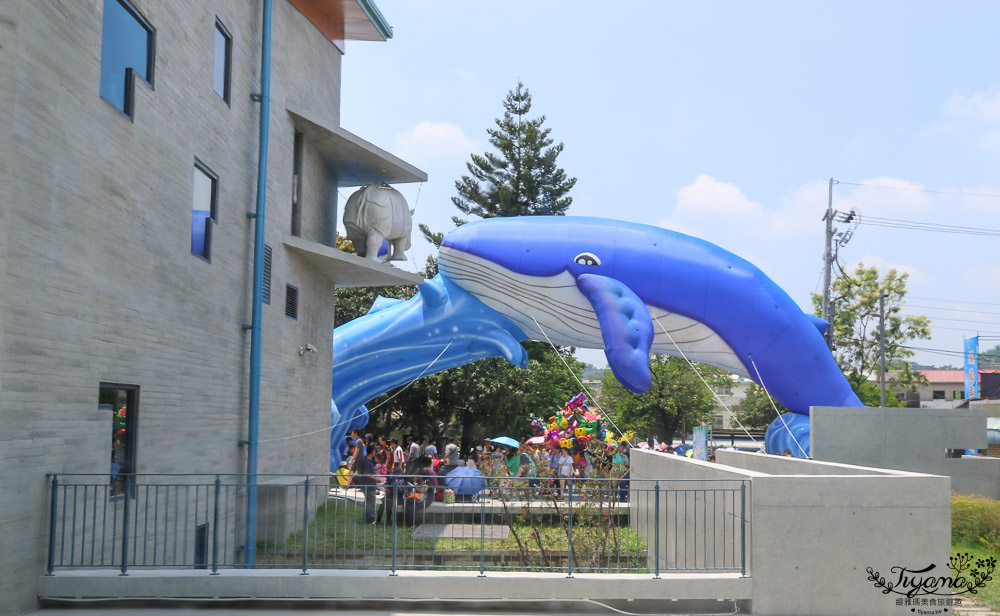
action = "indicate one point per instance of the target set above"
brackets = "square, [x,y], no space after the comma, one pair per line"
[553,308]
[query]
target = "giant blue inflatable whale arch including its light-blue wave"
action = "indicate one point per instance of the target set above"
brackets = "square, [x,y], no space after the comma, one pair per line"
[630,289]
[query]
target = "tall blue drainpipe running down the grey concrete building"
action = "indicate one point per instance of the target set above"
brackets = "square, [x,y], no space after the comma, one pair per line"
[253,421]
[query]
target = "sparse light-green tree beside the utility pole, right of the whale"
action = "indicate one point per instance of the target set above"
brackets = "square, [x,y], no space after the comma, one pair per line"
[855,299]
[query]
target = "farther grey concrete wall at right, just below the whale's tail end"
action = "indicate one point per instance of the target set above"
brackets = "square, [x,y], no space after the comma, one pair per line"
[909,439]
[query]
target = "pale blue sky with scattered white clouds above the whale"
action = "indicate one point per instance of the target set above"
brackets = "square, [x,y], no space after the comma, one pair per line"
[724,120]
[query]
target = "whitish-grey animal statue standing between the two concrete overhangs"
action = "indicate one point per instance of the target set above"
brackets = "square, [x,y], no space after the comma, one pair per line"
[377,212]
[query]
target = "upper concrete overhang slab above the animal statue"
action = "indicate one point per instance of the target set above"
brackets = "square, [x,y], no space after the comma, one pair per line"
[353,160]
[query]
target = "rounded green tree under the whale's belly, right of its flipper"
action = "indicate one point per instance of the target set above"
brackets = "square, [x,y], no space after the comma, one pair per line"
[676,401]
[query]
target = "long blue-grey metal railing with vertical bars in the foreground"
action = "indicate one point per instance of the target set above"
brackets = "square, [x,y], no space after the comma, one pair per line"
[309,522]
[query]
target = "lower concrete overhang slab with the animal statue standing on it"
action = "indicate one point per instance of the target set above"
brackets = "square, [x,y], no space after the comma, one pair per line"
[347,270]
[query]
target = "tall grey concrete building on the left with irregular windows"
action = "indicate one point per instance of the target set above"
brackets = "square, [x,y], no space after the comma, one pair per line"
[128,184]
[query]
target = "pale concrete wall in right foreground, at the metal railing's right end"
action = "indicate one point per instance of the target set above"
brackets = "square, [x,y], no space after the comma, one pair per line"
[815,527]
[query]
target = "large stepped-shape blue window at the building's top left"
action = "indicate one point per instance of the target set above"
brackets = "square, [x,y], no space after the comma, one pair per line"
[126,53]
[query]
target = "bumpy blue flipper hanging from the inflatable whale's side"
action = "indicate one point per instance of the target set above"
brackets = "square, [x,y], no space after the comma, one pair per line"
[626,327]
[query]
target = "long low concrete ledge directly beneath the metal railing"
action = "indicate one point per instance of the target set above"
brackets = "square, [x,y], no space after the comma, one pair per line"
[347,585]
